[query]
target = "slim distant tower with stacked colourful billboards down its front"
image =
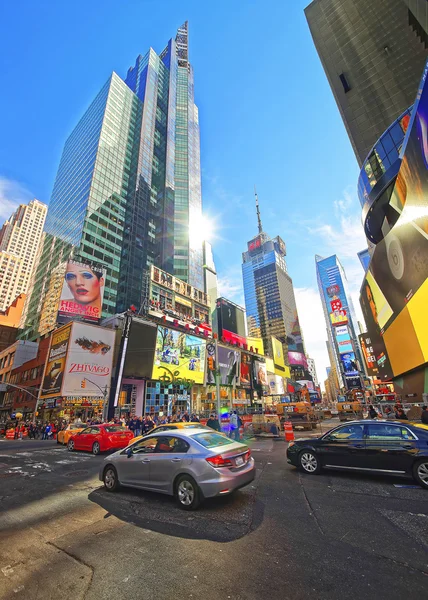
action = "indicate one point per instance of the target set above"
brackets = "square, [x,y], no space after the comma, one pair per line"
[340,318]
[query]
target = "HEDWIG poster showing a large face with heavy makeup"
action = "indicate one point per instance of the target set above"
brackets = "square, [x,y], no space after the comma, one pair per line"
[82,293]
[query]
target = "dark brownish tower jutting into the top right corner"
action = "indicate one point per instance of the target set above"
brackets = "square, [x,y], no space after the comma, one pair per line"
[373,53]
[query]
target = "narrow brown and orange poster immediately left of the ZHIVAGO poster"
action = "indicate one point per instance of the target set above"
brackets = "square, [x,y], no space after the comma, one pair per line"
[55,366]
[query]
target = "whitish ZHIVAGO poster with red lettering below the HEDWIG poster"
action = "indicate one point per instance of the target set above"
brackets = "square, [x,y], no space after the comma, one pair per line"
[89,360]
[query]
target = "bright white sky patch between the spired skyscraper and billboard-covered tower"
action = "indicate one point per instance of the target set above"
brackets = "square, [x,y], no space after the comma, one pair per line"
[312,322]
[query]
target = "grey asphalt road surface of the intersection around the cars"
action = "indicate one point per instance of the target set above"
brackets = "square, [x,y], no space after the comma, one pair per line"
[288,535]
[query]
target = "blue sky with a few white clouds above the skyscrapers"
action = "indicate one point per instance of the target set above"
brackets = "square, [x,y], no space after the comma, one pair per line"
[267,117]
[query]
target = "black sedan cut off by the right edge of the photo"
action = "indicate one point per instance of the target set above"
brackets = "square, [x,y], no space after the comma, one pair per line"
[390,447]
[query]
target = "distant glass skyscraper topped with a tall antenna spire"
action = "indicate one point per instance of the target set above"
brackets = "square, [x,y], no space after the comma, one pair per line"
[269,299]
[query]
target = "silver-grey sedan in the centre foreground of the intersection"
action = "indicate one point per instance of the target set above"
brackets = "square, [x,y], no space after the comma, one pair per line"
[190,464]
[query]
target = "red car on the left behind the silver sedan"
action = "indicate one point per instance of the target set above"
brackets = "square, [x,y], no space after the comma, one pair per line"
[100,438]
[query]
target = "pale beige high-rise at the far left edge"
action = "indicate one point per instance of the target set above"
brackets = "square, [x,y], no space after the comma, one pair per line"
[20,239]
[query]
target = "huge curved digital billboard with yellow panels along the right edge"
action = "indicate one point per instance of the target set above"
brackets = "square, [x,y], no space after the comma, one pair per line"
[394,295]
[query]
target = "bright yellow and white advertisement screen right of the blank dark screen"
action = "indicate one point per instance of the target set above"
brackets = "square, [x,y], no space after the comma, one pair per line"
[179,353]
